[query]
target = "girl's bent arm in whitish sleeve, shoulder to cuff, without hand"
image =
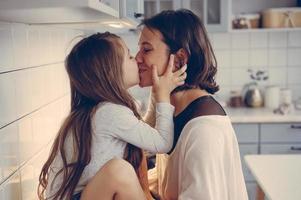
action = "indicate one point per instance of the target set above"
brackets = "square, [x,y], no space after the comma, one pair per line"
[120,122]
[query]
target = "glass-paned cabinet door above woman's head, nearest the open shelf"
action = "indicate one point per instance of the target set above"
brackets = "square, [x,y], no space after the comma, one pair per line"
[214,13]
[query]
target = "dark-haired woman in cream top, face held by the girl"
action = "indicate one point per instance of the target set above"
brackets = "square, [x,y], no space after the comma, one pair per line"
[204,162]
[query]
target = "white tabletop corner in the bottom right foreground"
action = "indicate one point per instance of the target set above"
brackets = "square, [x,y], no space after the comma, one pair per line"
[278,175]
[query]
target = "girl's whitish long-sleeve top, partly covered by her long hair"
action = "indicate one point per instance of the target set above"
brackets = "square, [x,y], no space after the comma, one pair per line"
[115,126]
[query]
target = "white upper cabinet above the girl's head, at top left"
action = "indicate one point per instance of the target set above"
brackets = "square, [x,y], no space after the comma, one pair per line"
[84,14]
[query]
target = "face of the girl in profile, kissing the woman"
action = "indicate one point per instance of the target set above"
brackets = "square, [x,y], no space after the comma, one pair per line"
[130,68]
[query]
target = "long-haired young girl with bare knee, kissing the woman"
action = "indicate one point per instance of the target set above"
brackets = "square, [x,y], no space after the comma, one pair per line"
[104,126]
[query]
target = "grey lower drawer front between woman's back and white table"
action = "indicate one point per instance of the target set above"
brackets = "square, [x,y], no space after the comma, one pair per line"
[247,149]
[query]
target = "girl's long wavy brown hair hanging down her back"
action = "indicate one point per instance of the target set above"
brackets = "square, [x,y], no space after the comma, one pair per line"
[94,66]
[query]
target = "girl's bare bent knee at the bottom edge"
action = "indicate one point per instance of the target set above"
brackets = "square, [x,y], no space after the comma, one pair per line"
[116,180]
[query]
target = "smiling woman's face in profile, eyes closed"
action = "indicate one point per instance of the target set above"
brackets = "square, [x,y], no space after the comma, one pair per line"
[152,51]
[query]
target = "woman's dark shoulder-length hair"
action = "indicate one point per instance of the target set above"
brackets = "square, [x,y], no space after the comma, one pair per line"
[183,29]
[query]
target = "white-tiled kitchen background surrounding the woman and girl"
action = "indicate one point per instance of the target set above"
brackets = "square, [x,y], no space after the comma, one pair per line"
[258,57]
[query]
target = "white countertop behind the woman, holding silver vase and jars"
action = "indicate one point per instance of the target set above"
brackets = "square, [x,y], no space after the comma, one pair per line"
[261,115]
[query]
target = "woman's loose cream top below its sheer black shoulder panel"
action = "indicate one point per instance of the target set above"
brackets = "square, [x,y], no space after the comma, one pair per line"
[205,163]
